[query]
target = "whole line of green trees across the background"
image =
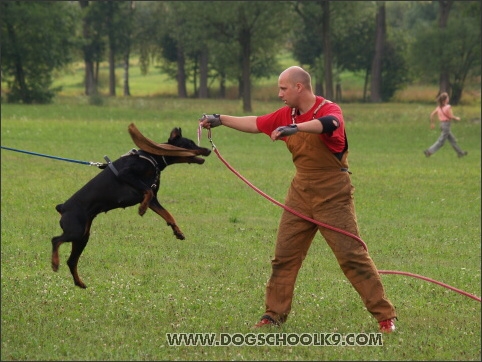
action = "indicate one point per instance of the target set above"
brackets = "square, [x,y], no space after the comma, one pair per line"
[204,44]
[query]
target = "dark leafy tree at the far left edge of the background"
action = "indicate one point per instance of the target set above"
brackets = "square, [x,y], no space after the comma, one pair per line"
[37,38]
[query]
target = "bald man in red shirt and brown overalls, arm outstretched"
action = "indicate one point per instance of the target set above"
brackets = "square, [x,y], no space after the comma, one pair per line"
[314,131]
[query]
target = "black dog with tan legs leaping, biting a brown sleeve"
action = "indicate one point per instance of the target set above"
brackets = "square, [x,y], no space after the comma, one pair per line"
[129,180]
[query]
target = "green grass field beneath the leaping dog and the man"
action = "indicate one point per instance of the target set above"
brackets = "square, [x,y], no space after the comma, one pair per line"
[416,214]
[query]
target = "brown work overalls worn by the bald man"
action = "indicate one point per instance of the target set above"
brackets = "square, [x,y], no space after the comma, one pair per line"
[322,191]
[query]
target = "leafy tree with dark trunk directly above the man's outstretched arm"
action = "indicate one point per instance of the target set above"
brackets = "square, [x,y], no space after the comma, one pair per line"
[241,37]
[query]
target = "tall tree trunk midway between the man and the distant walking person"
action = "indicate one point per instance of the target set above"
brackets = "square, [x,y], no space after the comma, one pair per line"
[376,72]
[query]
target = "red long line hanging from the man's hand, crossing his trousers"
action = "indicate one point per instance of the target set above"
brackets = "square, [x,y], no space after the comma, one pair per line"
[336,229]
